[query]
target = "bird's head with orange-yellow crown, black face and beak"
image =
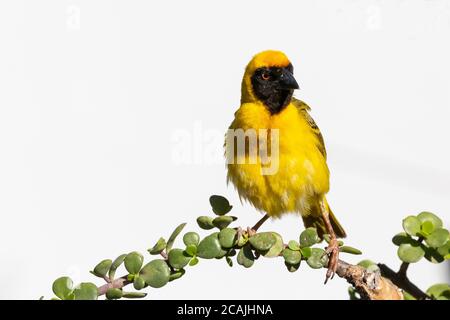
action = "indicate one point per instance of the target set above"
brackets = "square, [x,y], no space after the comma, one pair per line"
[269,79]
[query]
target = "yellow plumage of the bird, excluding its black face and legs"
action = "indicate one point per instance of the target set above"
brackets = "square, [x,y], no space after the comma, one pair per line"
[302,178]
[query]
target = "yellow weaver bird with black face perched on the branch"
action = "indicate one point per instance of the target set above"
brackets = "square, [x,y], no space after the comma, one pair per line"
[301,176]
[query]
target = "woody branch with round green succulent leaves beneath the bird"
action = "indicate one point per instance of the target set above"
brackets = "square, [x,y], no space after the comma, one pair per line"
[368,280]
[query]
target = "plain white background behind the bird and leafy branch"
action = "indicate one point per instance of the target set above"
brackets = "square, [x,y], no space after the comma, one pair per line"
[95,95]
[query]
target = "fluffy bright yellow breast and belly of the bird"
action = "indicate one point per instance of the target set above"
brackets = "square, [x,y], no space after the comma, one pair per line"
[301,171]
